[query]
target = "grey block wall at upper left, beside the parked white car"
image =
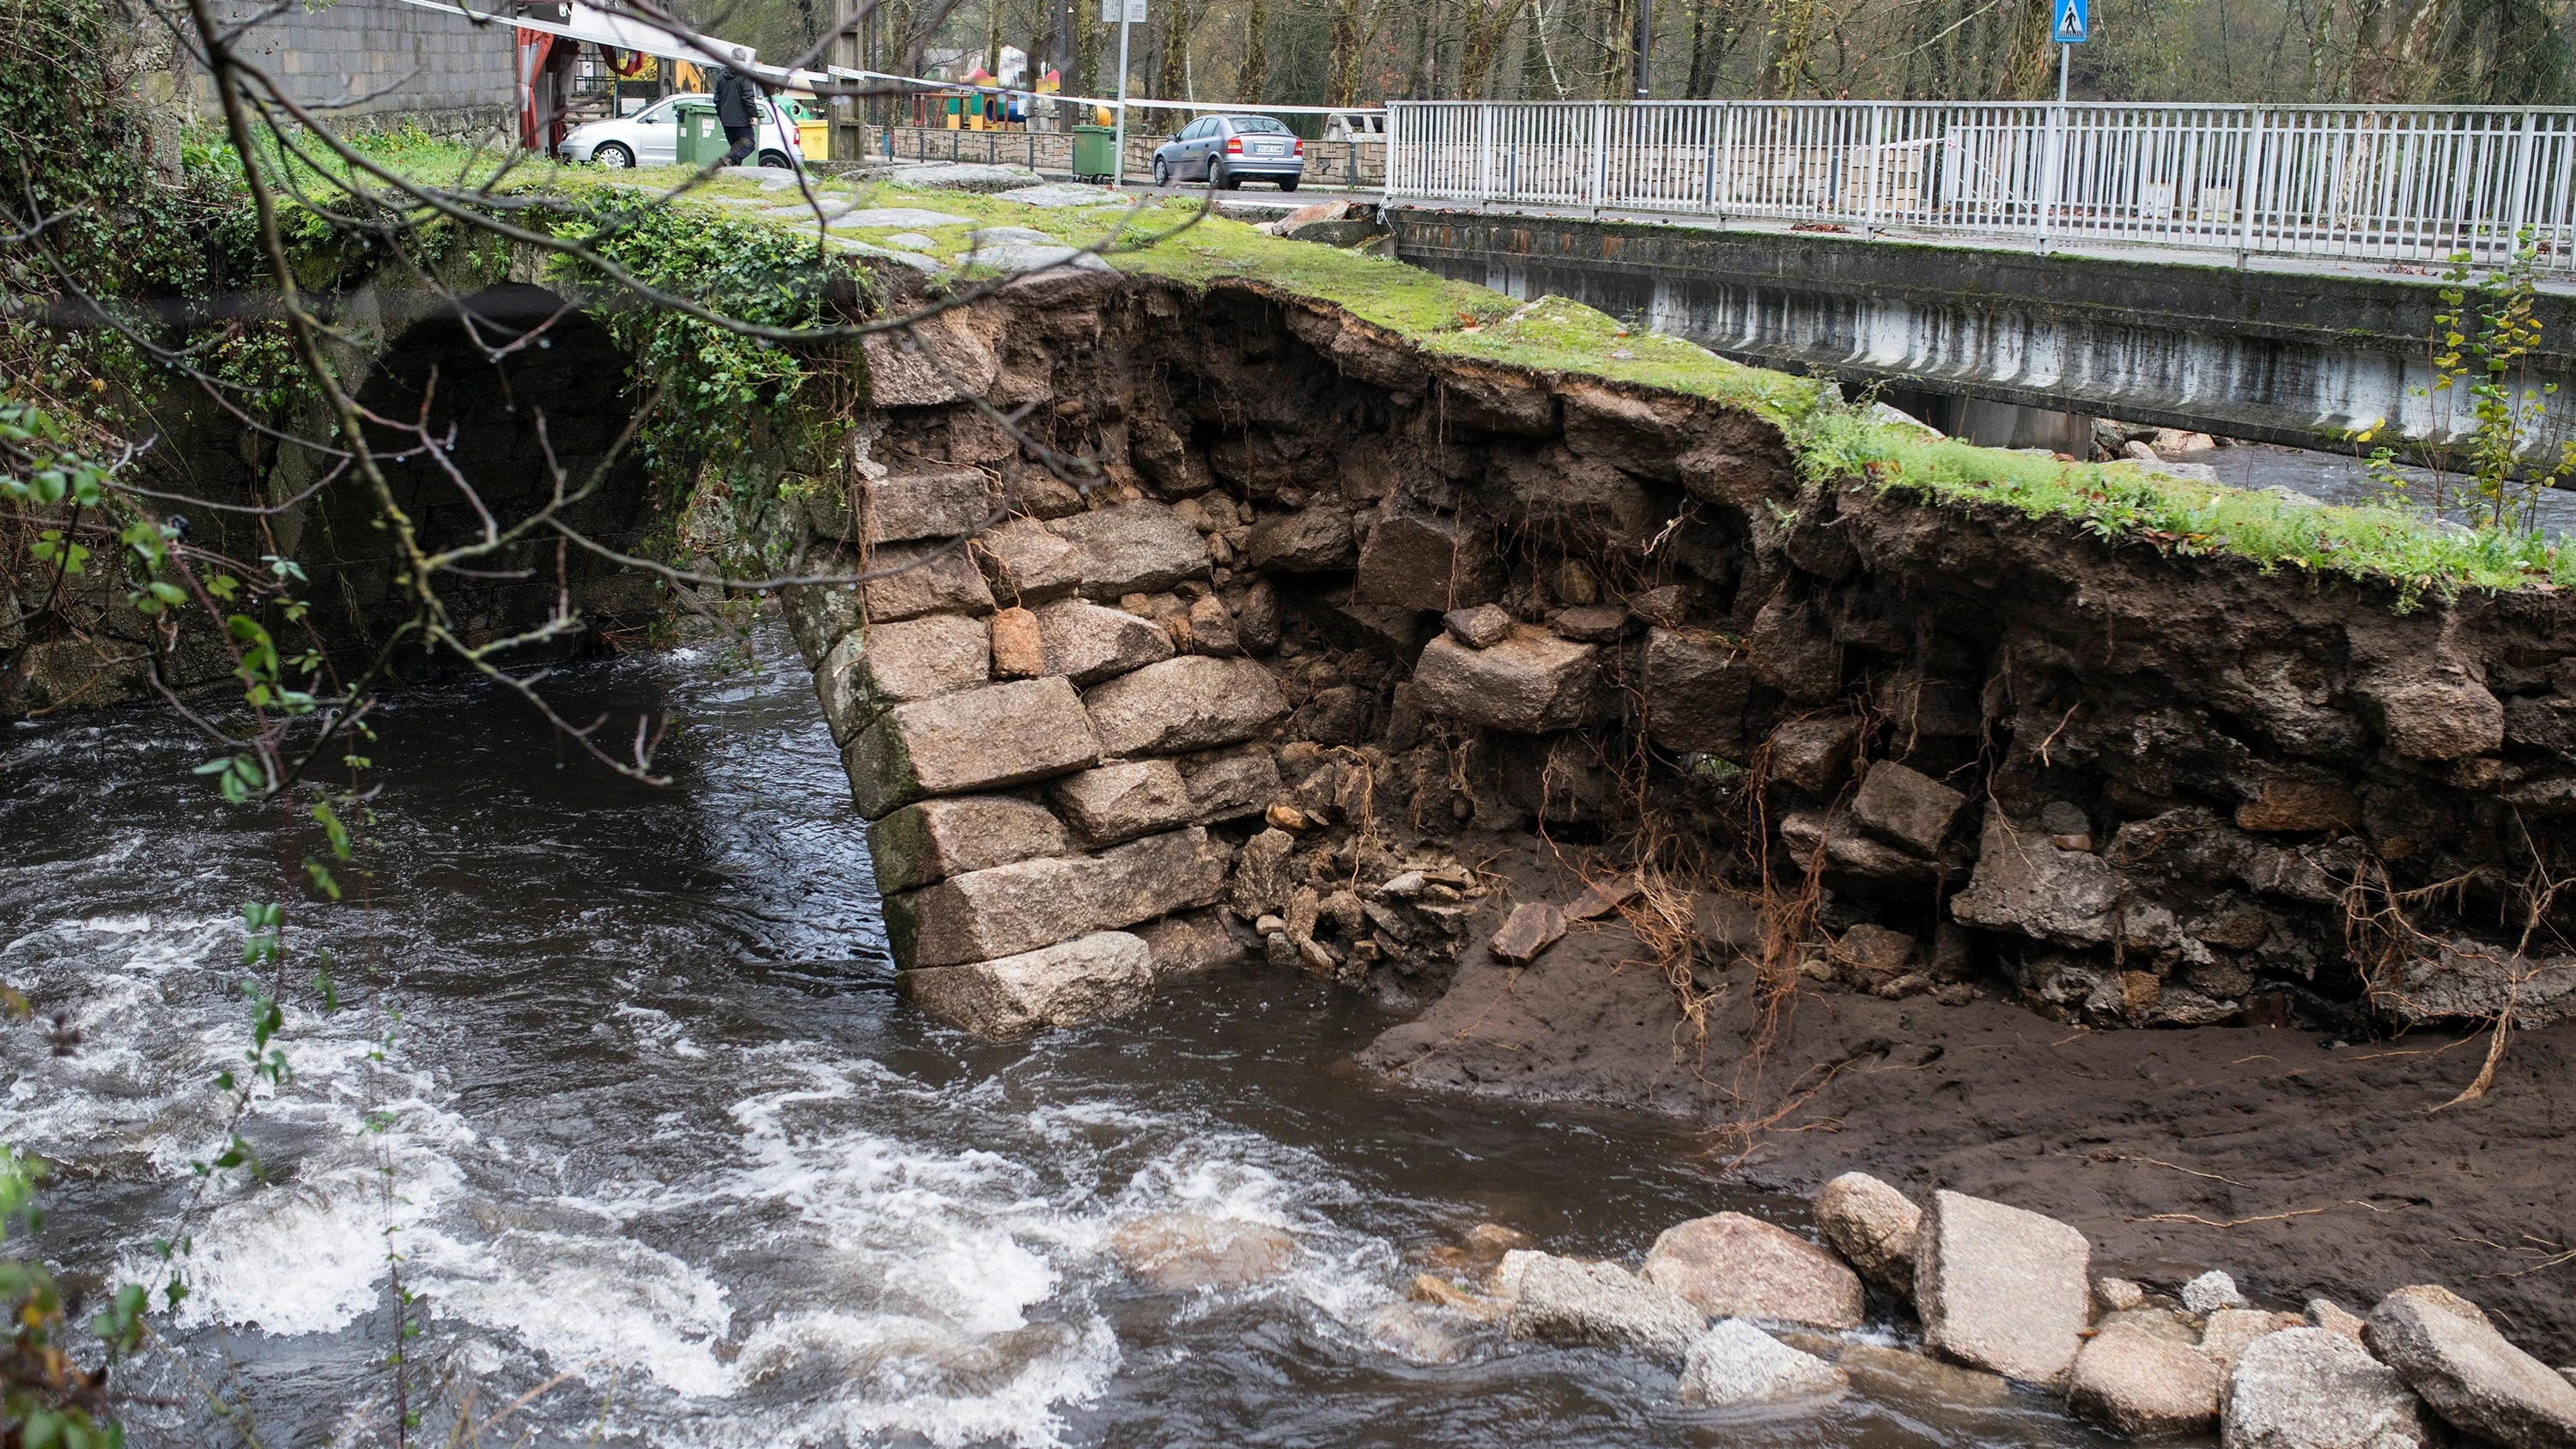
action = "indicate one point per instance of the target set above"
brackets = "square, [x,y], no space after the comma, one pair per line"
[395,60]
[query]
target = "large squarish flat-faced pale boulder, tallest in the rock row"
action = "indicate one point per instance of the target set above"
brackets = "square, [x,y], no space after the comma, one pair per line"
[2003,1288]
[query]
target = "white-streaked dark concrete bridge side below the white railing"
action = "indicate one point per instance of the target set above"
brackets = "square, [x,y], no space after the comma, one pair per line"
[2294,359]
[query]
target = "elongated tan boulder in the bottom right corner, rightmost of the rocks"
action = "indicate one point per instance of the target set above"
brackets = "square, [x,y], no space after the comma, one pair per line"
[2469,1373]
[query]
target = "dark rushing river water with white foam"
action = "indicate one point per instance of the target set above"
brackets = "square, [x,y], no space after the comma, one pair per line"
[622,1082]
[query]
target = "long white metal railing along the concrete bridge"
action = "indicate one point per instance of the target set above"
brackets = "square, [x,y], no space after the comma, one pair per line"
[2405,184]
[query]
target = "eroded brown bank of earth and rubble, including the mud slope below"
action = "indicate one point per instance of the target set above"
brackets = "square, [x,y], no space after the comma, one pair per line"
[1987,791]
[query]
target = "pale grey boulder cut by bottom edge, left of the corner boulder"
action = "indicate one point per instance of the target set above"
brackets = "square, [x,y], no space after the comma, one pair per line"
[2312,1389]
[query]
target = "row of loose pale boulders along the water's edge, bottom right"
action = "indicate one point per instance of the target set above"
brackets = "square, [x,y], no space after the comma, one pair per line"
[2005,1296]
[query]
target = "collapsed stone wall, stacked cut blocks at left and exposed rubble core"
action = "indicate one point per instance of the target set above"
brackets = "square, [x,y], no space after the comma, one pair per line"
[1341,604]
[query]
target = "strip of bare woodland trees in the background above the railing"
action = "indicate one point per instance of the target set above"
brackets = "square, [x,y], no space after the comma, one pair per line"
[1356,53]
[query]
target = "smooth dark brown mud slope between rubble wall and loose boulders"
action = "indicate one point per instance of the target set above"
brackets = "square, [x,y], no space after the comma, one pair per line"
[2297,1159]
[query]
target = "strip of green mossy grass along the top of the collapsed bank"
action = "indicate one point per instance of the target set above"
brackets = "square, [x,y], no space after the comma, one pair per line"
[2116,501]
